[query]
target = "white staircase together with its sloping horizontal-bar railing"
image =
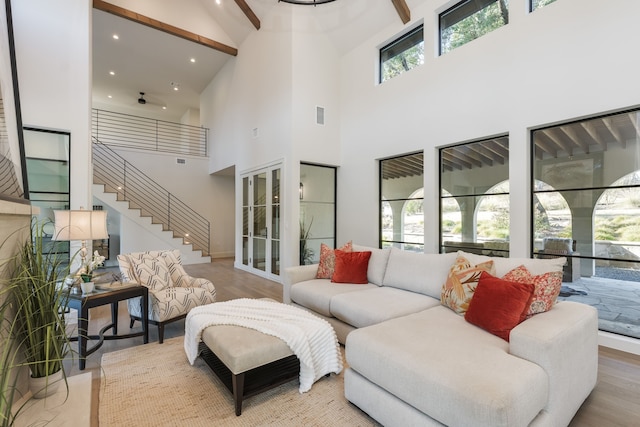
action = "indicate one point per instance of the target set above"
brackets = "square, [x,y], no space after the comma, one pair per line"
[147,208]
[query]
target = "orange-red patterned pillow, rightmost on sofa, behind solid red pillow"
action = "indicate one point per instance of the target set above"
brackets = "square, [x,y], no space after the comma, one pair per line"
[547,287]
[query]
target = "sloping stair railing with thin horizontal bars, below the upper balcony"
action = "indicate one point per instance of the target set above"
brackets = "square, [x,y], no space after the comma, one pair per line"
[143,193]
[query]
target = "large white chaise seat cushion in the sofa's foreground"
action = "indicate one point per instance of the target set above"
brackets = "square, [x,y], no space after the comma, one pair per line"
[449,369]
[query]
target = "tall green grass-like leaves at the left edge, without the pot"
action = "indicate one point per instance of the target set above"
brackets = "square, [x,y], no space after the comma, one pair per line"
[33,329]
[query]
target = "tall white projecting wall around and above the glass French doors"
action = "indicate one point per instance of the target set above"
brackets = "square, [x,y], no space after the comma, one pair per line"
[261,107]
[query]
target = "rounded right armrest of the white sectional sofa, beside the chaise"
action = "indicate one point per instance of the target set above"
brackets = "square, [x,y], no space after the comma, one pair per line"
[564,342]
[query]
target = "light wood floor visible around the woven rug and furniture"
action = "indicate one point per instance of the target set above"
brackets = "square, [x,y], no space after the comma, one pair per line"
[614,402]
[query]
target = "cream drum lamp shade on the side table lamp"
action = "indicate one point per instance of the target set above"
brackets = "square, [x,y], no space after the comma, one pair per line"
[80,225]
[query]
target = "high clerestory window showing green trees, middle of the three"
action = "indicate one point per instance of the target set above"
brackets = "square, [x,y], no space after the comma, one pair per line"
[469,20]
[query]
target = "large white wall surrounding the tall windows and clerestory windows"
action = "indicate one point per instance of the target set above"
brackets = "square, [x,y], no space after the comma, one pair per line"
[568,60]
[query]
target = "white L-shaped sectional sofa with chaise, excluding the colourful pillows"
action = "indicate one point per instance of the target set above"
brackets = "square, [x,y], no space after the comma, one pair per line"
[415,362]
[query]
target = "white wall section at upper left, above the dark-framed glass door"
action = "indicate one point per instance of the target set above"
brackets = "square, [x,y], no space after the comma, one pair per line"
[54,66]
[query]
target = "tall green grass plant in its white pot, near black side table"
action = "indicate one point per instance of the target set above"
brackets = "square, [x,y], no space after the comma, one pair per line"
[40,305]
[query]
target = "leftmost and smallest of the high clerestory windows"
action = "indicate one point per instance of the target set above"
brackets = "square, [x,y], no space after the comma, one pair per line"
[403,54]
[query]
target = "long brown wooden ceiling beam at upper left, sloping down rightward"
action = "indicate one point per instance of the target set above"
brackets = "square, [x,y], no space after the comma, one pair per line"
[162,26]
